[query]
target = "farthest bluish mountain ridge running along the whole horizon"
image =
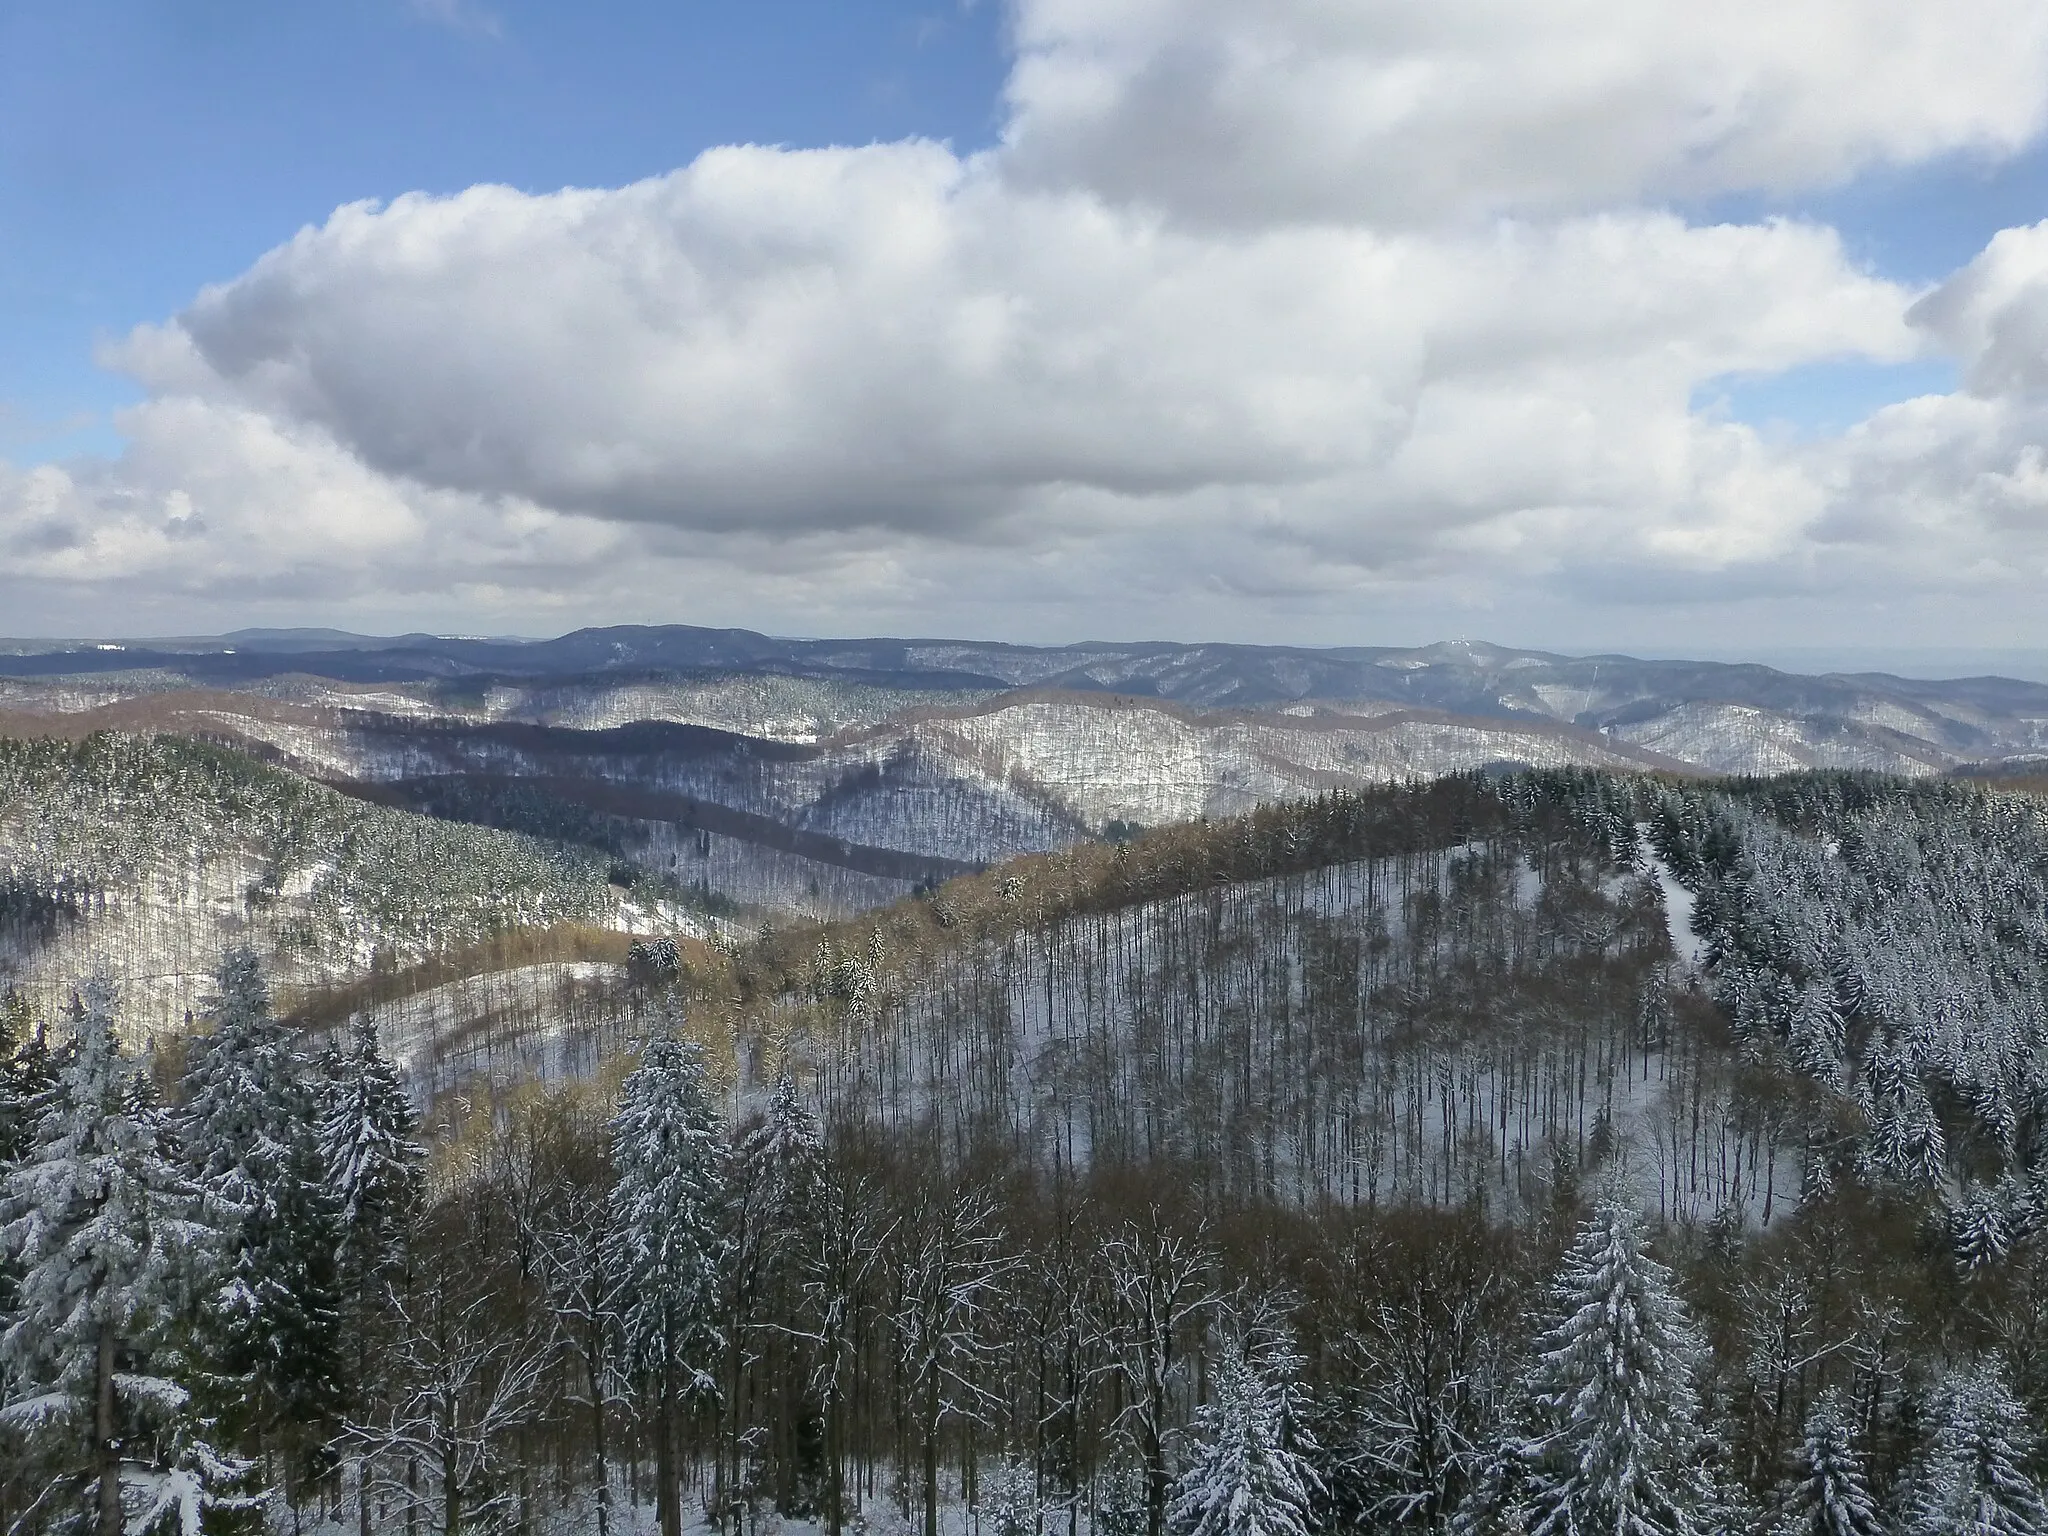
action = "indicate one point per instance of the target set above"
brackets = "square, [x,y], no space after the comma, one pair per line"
[1717,716]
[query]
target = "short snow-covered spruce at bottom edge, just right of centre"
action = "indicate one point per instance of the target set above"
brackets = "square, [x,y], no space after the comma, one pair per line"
[1250,1474]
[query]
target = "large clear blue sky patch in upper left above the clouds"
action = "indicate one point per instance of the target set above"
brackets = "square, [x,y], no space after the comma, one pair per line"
[151,148]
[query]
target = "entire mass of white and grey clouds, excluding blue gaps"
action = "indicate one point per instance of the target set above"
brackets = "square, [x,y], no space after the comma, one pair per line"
[1254,312]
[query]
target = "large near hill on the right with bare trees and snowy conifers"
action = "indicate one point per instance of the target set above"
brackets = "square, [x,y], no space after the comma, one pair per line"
[1744,990]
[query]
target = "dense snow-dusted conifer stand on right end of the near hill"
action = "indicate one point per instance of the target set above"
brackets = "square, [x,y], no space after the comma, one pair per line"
[1889,945]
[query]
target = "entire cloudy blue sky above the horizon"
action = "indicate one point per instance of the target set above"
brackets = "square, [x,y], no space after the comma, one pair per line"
[1652,327]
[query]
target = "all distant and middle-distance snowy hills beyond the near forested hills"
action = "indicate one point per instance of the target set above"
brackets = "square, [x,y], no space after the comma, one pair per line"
[835,775]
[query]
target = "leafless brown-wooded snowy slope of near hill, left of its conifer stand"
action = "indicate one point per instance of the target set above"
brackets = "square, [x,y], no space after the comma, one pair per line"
[1408,994]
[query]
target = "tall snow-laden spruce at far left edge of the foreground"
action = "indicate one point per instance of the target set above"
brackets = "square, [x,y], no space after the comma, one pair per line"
[101,1224]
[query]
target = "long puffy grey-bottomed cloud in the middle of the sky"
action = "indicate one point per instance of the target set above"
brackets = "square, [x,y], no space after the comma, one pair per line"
[896,339]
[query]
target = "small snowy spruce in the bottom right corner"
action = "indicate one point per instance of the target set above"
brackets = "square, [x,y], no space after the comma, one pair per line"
[1973,1474]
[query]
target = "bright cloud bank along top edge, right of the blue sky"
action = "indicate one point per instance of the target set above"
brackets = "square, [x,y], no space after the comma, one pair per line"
[1316,110]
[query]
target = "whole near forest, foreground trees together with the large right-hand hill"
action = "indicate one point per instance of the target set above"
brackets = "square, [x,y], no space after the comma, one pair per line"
[1506,1154]
